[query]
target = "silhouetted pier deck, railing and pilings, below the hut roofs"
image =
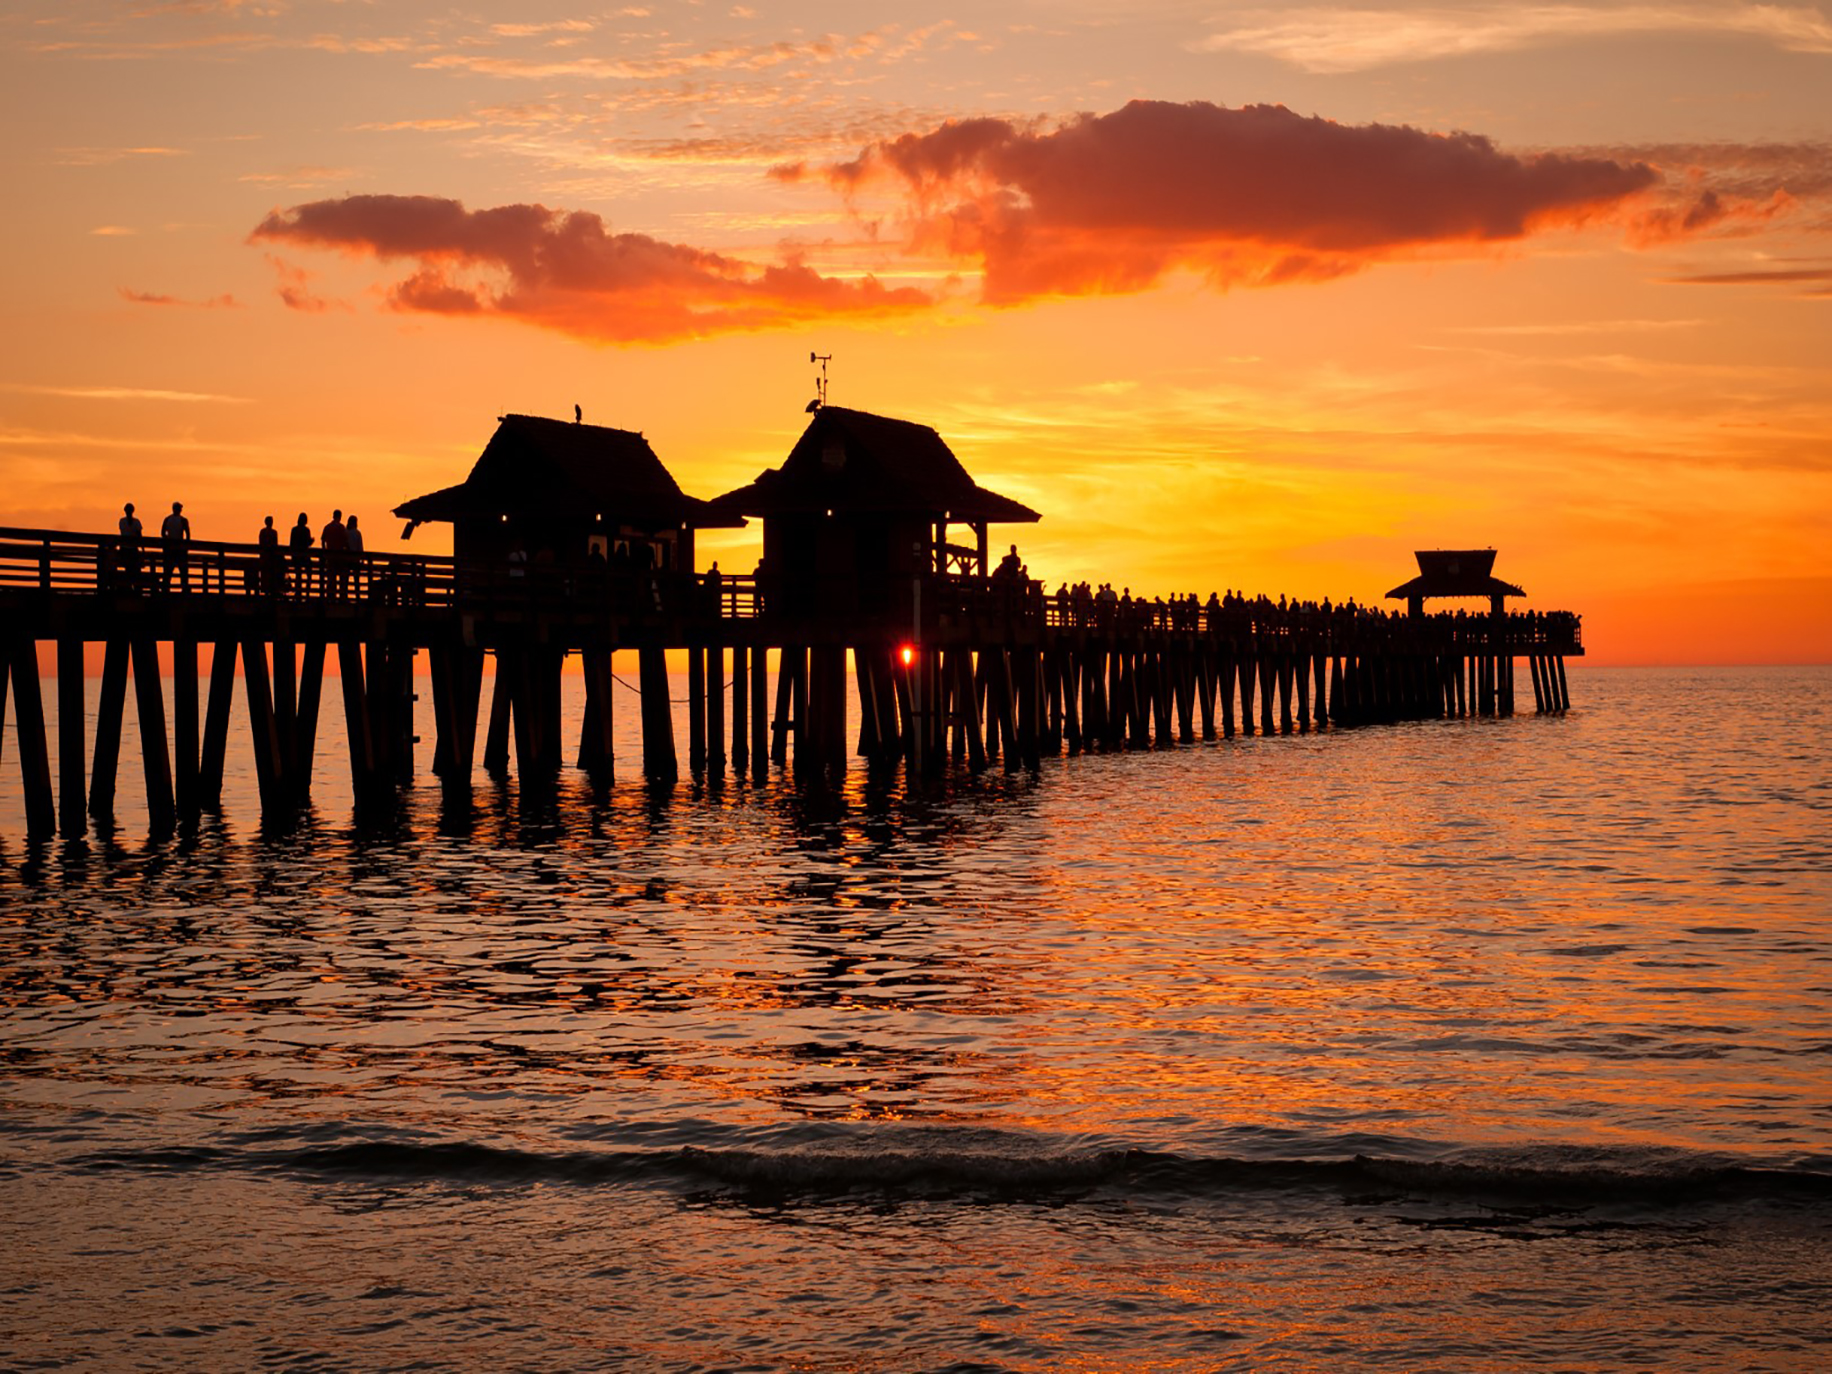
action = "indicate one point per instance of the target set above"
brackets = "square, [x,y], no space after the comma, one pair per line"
[957,671]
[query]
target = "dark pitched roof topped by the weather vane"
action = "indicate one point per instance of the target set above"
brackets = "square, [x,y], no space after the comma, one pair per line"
[856,463]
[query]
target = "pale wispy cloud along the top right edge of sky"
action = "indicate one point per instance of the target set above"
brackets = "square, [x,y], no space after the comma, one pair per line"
[1333,41]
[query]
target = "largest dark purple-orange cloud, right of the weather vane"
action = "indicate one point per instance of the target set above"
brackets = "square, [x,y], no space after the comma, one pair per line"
[1256,195]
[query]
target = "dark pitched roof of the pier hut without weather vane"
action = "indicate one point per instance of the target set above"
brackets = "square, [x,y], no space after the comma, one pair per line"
[536,466]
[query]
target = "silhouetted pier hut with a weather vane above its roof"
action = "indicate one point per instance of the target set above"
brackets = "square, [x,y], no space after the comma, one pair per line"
[862,507]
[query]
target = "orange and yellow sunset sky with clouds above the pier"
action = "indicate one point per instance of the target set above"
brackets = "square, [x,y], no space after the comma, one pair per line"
[1238,296]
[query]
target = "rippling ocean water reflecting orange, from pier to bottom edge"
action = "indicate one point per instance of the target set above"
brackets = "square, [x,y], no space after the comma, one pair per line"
[1435,1047]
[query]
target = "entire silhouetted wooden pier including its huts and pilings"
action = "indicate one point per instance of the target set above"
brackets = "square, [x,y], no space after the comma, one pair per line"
[574,541]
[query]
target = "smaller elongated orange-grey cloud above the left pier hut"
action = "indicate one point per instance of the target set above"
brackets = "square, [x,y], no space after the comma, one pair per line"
[569,272]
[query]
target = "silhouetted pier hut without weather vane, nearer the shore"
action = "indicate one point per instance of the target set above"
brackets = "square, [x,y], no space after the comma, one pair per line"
[556,490]
